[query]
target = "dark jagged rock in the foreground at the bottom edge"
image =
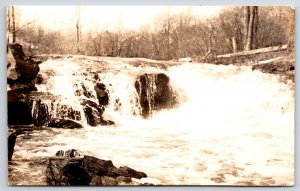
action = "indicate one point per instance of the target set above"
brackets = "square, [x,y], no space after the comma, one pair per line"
[88,171]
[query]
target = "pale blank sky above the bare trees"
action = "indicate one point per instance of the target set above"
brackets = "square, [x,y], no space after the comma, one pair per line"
[105,17]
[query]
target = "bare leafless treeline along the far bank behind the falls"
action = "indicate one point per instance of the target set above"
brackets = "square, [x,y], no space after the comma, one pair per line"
[172,36]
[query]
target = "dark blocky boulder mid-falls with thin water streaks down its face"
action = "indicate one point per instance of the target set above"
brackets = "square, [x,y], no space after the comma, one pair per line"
[155,93]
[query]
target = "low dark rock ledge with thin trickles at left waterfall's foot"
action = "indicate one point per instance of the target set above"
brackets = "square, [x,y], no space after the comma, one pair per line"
[39,109]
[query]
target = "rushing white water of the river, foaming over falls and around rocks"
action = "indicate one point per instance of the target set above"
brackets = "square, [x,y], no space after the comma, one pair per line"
[233,126]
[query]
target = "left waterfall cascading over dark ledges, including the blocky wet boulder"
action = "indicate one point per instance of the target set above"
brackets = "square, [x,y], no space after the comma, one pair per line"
[113,90]
